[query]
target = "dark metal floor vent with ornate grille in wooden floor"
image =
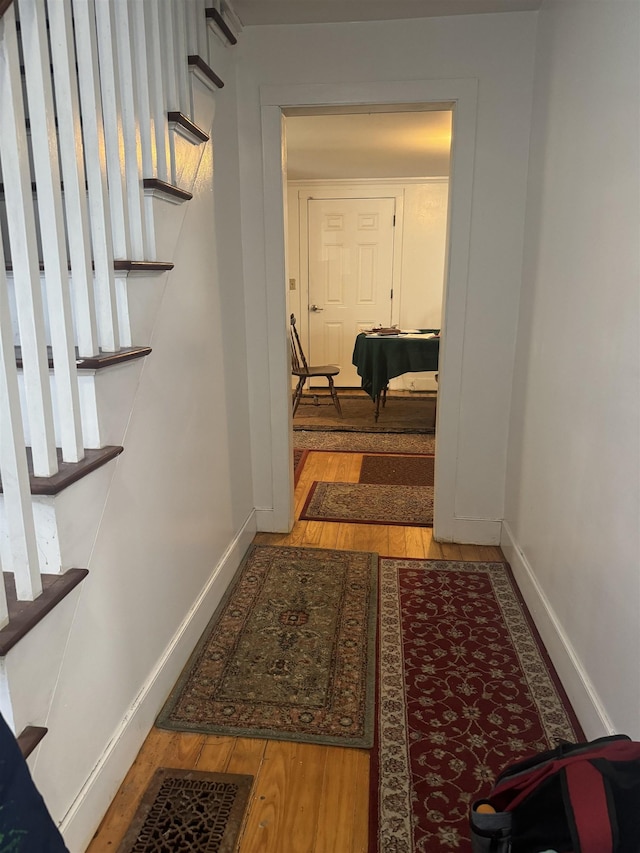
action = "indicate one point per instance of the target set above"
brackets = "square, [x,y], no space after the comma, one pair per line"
[185,810]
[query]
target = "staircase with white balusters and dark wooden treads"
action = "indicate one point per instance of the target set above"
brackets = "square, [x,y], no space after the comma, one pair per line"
[106,109]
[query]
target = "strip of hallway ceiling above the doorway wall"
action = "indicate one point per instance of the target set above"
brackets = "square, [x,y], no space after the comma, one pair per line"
[260,12]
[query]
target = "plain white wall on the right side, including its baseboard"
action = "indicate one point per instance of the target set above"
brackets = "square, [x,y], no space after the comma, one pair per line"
[573,507]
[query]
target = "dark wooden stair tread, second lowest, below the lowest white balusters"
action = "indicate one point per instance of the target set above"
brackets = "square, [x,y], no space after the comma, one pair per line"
[25,615]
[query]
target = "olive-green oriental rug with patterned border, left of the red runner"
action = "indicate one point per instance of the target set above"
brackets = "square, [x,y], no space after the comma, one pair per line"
[289,653]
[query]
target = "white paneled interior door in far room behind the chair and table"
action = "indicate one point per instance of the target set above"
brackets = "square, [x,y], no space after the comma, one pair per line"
[350,276]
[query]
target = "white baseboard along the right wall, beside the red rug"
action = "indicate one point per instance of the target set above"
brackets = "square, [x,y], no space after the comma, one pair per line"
[582,694]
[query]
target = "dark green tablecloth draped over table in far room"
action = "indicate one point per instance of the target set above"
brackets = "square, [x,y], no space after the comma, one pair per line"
[380,359]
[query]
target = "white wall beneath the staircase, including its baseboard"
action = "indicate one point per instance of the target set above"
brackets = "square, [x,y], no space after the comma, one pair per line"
[179,515]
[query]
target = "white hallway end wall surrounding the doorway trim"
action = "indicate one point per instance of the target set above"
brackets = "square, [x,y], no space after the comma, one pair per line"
[496,53]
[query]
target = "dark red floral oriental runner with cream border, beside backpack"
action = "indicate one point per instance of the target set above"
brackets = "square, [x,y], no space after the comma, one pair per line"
[464,689]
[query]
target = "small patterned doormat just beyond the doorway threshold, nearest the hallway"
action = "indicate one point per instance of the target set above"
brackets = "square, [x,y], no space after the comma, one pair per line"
[364,503]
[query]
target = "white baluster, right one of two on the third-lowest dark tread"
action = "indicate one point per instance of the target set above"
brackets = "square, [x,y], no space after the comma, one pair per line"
[52,232]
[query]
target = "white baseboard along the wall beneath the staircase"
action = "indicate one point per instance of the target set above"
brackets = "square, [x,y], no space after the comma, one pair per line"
[87,810]
